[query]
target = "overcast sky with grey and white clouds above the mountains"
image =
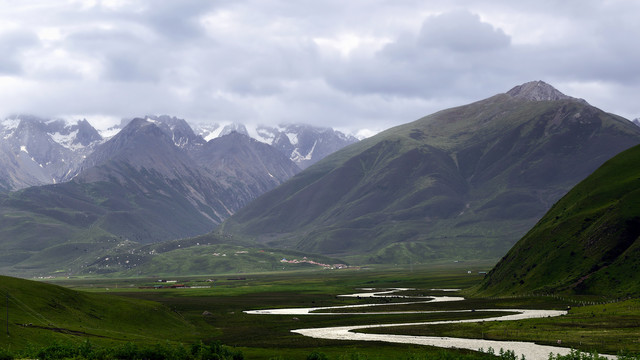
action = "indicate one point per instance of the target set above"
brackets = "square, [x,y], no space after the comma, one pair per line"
[356,65]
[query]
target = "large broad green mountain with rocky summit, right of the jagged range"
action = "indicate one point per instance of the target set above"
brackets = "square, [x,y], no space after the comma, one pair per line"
[466,182]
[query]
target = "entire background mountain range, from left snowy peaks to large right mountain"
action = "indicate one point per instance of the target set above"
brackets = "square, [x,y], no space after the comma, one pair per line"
[463,183]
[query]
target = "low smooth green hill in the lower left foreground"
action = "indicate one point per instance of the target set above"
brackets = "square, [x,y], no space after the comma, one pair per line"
[40,314]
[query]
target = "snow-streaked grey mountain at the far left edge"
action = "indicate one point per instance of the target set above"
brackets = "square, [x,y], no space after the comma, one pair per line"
[35,151]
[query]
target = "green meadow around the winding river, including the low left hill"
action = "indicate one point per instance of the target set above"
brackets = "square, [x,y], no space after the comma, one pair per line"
[133,318]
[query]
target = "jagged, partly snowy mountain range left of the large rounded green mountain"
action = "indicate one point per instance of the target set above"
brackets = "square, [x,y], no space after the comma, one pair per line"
[154,180]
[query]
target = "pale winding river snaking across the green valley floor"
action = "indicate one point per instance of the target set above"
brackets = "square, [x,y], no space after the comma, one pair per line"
[530,350]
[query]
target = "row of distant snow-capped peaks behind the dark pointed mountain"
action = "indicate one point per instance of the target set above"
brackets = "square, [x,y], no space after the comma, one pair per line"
[36,151]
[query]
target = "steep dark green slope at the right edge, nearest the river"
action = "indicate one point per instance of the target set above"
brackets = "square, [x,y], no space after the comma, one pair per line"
[587,243]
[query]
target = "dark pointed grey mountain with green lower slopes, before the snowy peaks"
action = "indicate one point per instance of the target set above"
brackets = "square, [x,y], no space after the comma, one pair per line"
[147,185]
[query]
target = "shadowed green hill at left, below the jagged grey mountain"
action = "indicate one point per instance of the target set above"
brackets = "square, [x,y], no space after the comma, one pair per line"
[57,229]
